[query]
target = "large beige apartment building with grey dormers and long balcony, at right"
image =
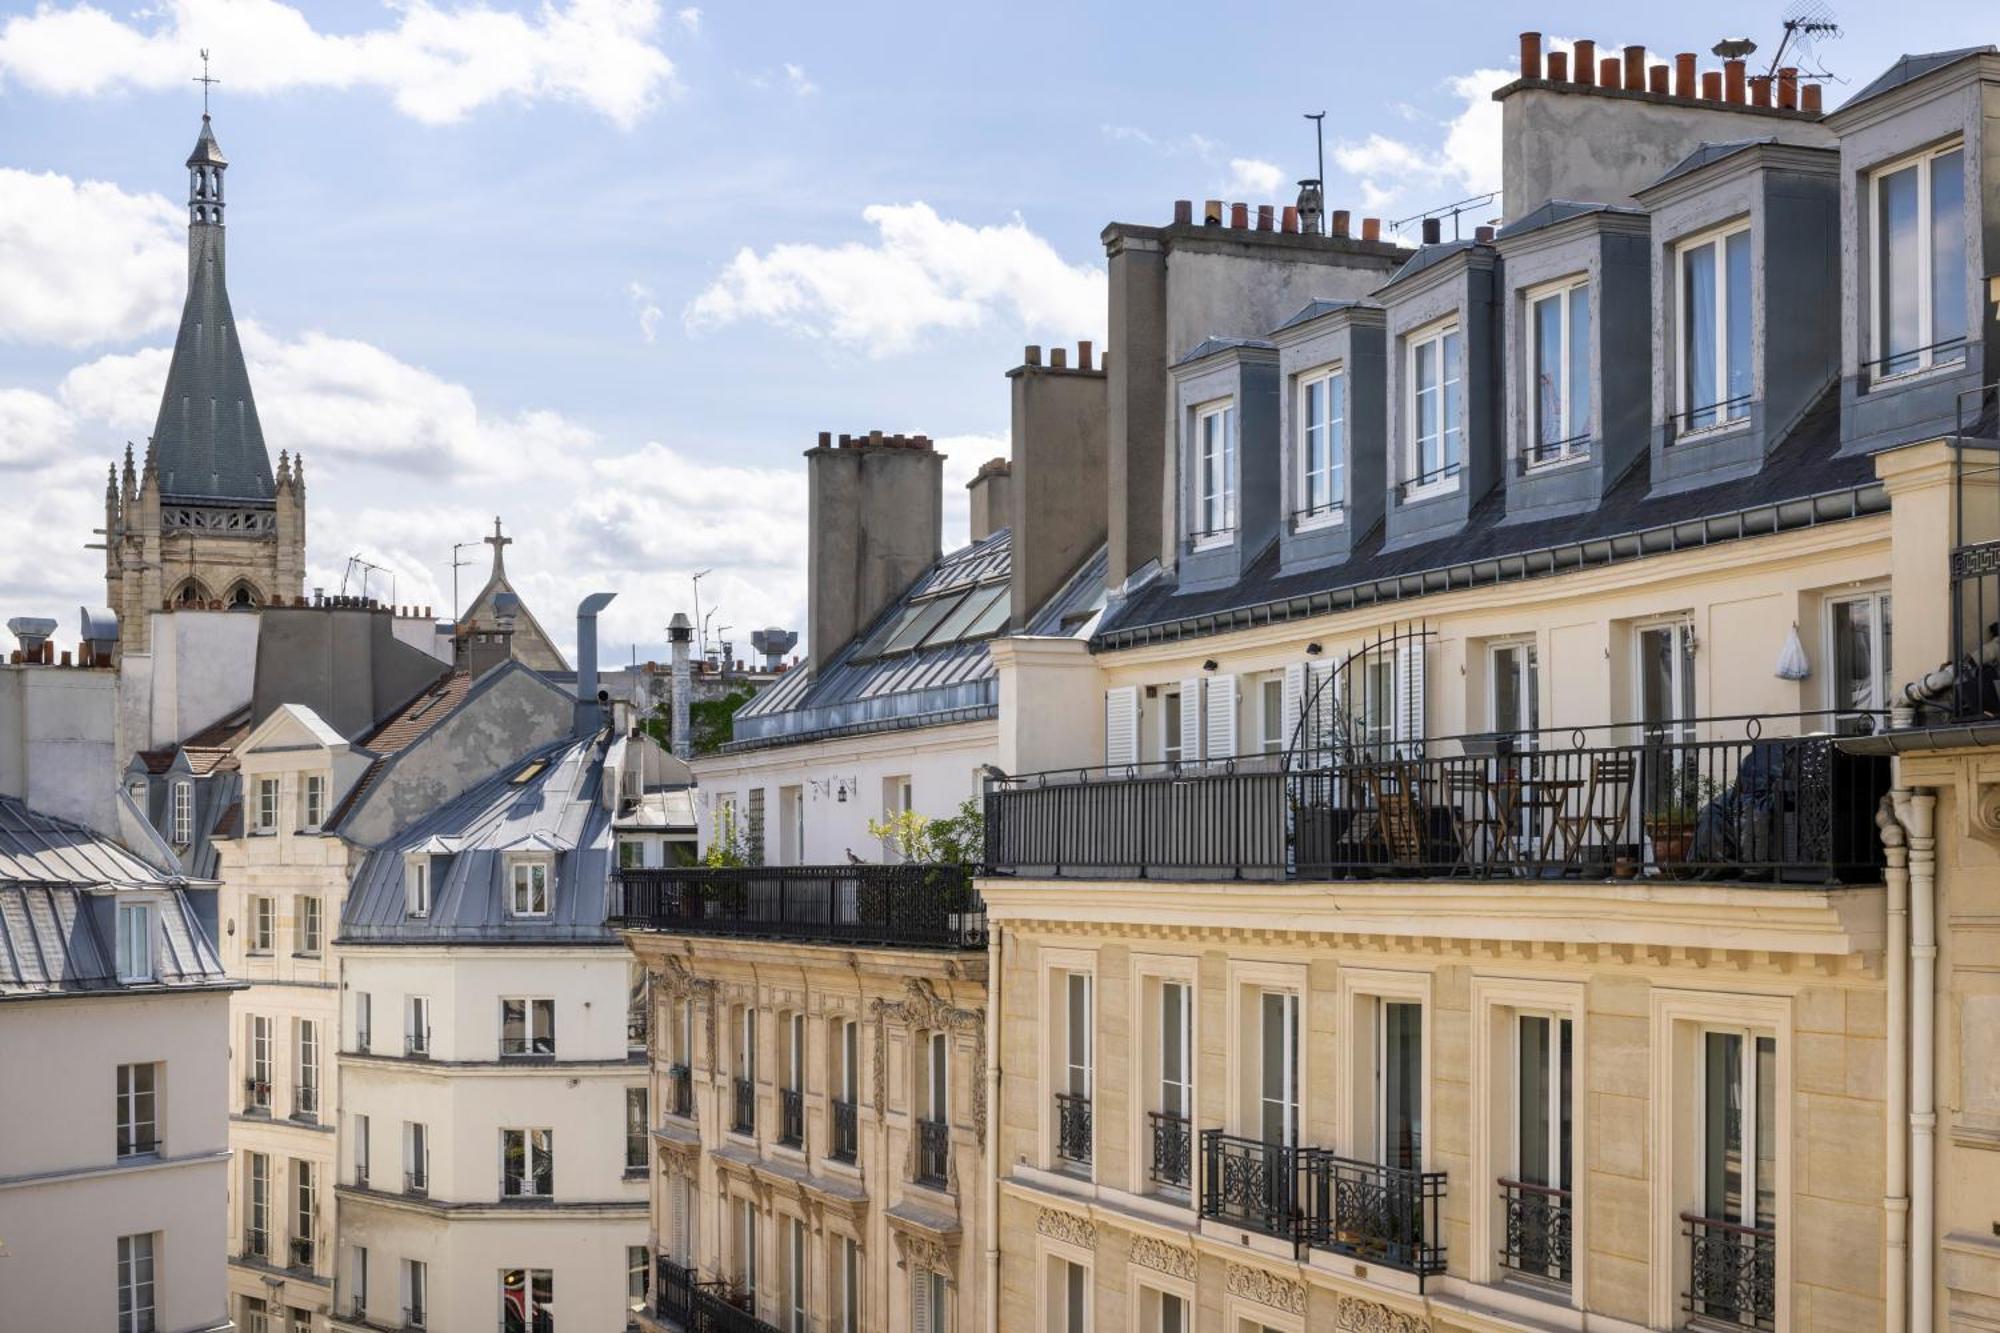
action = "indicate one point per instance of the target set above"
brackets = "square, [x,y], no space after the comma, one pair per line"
[1509,856]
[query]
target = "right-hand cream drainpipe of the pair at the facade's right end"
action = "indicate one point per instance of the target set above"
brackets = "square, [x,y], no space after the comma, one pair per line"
[1917,812]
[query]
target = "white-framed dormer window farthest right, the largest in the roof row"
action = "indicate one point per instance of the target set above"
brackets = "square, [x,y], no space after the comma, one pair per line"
[1919,267]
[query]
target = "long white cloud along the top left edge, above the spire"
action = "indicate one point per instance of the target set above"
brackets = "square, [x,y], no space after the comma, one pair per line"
[437,61]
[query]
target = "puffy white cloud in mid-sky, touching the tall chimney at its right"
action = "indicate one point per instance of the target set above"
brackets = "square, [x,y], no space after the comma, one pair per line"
[925,273]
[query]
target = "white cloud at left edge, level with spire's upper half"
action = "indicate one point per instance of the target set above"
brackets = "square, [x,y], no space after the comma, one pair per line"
[85,261]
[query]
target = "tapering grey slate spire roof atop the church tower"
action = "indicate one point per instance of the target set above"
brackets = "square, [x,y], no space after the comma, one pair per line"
[207,443]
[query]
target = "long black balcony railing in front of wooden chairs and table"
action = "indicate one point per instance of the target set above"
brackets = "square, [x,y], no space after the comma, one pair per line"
[1701,800]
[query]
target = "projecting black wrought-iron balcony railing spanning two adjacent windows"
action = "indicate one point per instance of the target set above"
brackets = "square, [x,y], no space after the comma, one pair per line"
[1389,1216]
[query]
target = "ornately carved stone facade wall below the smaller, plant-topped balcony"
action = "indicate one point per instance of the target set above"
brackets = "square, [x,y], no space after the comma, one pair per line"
[901,1226]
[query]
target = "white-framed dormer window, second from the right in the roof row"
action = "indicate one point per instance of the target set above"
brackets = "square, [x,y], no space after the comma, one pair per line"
[1715,329]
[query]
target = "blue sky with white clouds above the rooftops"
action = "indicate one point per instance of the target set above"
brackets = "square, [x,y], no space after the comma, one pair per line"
[607,267]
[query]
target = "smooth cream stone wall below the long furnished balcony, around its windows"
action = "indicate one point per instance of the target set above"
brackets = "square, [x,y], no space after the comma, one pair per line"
[1635,968]
